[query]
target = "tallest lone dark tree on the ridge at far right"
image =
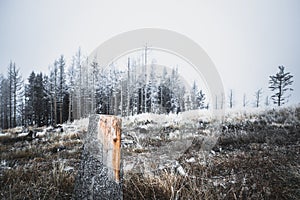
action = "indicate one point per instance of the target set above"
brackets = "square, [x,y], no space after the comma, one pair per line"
[280,83]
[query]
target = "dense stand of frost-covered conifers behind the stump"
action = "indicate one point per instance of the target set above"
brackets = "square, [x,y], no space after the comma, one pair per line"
[71,92]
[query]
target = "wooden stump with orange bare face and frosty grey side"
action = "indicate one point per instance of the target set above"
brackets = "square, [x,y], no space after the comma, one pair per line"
[100,172]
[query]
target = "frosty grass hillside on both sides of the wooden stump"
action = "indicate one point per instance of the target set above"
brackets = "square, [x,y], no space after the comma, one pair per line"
[250,155]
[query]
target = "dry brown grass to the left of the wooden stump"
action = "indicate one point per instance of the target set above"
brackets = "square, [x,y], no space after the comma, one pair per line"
[35,169]
